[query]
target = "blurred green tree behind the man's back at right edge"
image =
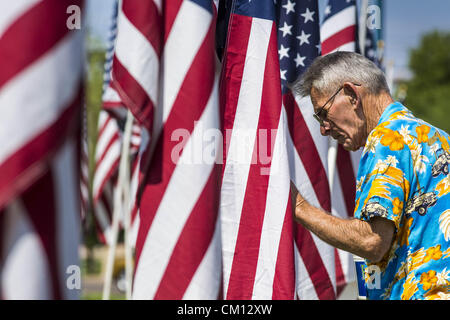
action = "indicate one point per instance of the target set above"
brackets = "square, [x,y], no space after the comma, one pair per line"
[429,89]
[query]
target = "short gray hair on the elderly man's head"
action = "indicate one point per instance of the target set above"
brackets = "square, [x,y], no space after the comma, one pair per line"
[329,72]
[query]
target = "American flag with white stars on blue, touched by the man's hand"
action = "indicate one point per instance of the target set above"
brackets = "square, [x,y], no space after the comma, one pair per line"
[265,254]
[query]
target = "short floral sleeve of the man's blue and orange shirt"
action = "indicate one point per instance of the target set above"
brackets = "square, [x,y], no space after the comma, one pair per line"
[382,186]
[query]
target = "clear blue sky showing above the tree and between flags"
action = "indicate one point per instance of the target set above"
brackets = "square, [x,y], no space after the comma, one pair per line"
[405,21]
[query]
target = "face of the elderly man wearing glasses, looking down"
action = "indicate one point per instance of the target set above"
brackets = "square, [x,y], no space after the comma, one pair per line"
[342,116]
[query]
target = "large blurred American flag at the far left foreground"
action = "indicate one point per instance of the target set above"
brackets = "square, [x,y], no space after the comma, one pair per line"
[40,104]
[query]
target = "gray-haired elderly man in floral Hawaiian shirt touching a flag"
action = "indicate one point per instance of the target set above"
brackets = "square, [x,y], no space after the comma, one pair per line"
[402,210]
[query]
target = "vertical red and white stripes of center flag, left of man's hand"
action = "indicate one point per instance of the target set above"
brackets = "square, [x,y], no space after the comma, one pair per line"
[255,194]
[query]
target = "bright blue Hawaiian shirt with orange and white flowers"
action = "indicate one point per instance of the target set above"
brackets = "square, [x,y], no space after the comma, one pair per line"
[404,177]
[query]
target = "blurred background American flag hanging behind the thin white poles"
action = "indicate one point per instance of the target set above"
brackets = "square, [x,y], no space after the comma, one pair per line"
[108,149]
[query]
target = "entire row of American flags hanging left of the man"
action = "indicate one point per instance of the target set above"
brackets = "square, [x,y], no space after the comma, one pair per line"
[201,78]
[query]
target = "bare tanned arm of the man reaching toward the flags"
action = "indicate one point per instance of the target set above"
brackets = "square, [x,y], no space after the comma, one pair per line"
[370,240]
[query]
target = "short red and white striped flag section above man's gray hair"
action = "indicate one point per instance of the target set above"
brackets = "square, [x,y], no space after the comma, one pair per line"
[337,33]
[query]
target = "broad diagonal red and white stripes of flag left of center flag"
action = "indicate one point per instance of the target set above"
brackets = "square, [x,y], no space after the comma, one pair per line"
[178,244]
